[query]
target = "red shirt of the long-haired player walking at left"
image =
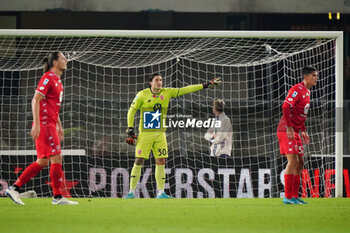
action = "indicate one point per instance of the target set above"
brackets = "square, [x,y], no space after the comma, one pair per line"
[50,86]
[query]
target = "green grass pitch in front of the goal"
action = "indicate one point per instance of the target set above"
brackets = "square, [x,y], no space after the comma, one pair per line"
[100,215]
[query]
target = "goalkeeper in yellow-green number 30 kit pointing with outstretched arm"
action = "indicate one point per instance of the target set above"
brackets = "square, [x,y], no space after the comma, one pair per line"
[153,103]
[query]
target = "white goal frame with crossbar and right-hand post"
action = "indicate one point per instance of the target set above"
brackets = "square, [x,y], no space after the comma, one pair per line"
[336,35]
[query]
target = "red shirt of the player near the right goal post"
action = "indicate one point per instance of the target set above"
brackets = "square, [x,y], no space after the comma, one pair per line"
[295,109]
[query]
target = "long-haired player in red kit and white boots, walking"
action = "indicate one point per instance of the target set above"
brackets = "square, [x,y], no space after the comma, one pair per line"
[46,129]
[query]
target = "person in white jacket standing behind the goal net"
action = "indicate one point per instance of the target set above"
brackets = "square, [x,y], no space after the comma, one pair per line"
[221,138]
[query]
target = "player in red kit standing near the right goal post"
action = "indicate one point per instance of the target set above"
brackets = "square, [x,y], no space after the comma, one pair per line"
[295,109]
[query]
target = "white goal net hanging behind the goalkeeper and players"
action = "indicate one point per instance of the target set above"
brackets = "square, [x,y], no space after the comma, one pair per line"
[107,69]
